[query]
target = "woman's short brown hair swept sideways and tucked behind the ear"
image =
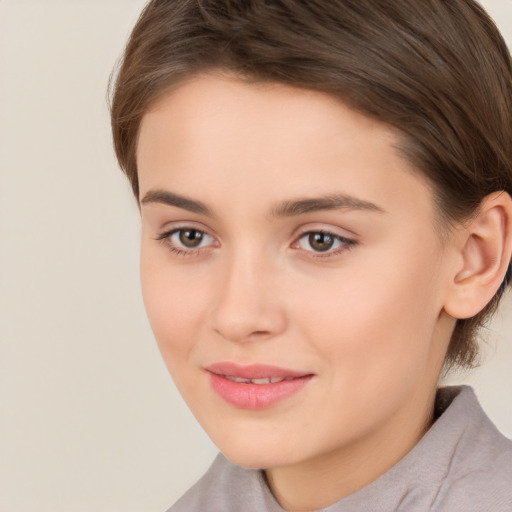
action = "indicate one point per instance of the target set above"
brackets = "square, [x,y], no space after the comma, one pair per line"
[438,71]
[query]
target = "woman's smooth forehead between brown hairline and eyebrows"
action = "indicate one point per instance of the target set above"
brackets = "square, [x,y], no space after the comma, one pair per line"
[216,136]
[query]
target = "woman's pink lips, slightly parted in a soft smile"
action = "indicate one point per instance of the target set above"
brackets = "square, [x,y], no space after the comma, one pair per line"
[255,396]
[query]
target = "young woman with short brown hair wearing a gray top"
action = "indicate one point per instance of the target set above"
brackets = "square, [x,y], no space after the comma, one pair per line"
[326,221]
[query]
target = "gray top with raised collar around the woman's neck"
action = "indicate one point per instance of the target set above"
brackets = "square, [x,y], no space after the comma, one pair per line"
[462,464]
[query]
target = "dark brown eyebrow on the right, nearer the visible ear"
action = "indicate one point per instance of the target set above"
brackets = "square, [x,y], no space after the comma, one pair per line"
[328,202]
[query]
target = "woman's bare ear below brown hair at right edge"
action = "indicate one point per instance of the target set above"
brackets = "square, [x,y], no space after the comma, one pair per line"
[485,247]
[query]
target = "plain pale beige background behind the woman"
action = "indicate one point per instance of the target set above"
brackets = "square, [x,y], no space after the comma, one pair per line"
[89,419]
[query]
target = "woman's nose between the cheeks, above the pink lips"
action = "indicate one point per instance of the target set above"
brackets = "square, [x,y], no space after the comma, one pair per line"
[249,304]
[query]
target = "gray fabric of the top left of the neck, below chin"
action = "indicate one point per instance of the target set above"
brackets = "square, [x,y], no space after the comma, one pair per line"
[219,490]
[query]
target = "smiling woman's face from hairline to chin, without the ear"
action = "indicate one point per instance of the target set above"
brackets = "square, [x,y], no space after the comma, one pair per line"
[291,269]
